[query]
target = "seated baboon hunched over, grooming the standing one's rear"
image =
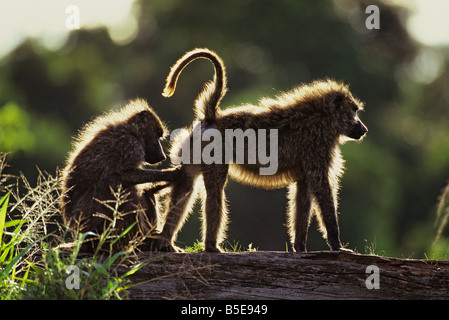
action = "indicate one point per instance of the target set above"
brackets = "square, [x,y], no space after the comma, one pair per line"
[111,152]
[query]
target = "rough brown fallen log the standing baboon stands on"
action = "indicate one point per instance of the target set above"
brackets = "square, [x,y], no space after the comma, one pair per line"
[283,275]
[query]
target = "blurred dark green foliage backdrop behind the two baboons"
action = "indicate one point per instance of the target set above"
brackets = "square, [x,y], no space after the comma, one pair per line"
[393,178]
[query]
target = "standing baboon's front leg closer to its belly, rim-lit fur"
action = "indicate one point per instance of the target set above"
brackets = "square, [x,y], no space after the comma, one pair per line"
[299,214]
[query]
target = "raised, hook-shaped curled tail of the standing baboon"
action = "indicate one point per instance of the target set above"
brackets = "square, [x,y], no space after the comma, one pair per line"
[206,105]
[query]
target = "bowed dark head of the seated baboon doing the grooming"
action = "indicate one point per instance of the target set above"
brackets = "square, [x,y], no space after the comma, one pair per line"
[151,130]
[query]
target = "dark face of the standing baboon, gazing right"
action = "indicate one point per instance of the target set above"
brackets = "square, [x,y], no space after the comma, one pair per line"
[348,107]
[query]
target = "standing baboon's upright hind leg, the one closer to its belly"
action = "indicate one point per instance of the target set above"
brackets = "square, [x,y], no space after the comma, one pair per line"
[214,212]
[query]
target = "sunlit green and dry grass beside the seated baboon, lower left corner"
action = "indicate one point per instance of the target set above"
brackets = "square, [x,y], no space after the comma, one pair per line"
[34,263]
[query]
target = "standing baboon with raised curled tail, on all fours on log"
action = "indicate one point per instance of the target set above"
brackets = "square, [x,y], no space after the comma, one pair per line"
[310,120]
